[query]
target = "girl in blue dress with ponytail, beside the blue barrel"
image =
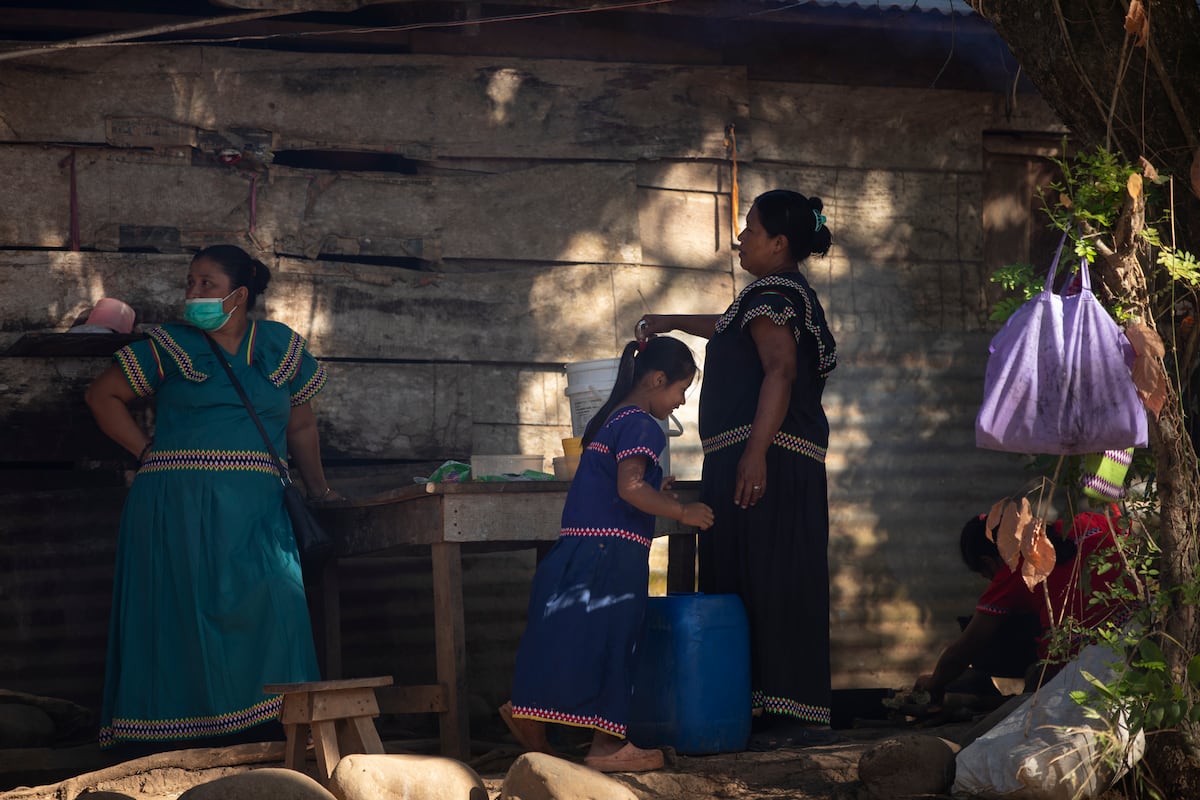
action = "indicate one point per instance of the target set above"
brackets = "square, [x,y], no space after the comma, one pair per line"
[577,661]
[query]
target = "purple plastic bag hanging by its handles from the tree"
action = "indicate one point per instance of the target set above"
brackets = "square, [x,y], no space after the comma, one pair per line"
[1059,378]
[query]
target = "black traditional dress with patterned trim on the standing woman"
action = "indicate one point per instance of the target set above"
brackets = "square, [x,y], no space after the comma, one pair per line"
[773,554]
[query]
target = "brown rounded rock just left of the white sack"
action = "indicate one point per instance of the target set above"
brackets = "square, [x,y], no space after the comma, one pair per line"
[909,766]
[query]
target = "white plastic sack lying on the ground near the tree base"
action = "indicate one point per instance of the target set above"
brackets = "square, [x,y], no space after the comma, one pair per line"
[1048,749]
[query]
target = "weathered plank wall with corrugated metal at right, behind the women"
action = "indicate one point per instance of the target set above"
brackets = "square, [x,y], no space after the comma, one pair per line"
[520,215]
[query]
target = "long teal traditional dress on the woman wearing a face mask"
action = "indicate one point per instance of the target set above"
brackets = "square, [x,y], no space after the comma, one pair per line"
[208,601]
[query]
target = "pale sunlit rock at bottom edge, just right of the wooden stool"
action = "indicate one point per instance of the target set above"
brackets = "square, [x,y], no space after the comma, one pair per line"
[405,778]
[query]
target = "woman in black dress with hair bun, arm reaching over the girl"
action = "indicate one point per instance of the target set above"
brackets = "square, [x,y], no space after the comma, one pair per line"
[765,437]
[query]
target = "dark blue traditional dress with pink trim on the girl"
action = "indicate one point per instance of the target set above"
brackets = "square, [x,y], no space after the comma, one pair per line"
[577,661]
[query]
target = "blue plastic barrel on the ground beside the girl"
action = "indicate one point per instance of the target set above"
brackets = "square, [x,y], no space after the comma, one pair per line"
[692,690]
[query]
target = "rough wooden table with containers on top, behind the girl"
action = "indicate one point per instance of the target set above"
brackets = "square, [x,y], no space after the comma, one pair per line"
[446,519]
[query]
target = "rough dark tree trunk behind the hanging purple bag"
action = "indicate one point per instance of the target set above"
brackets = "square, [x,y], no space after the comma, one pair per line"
[1137,101]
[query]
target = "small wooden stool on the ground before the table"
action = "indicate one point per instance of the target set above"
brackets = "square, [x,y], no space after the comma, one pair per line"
[340,714]
